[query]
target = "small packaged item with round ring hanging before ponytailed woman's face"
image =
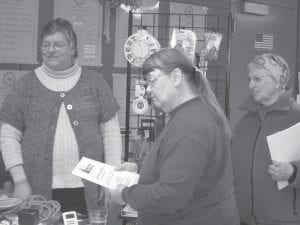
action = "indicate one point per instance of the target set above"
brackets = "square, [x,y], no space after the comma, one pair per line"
[140,104]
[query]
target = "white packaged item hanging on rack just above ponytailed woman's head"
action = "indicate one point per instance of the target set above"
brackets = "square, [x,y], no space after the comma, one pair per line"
[184,40]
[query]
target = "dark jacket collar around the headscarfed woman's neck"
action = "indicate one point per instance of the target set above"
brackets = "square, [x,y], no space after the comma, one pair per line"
[282,104]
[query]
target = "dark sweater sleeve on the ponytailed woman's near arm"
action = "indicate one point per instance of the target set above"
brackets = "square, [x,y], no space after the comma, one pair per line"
[183,161]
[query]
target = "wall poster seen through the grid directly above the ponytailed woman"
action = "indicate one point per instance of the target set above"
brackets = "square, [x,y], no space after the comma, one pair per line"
[187,16]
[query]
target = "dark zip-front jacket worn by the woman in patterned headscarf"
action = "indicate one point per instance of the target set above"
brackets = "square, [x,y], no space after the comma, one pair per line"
[259,199]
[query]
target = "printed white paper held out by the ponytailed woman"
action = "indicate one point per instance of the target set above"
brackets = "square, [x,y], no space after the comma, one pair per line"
[104,174]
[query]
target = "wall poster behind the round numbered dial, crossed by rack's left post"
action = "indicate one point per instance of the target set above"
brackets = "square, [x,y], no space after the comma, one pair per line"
[148,21]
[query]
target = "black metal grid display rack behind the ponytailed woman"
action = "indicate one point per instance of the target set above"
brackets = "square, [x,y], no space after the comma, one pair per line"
[160,25]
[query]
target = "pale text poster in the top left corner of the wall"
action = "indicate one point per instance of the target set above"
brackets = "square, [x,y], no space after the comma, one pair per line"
[18,31]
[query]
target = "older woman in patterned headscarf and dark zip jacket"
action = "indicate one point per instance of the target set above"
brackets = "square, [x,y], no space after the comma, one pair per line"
[270,109]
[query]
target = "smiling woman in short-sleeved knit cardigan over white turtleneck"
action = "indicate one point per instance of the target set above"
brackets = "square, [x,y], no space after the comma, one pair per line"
[55,115]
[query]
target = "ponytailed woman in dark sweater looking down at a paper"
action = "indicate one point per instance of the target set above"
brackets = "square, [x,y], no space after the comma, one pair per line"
[187,176]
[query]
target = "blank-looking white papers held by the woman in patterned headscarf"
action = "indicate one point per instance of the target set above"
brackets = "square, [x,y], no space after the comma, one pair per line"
[284,146]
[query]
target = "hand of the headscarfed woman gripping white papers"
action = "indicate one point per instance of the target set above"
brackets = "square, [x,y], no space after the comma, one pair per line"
[281,171]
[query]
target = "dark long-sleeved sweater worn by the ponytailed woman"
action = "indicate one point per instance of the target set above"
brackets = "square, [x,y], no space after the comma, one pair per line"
[187,178]
